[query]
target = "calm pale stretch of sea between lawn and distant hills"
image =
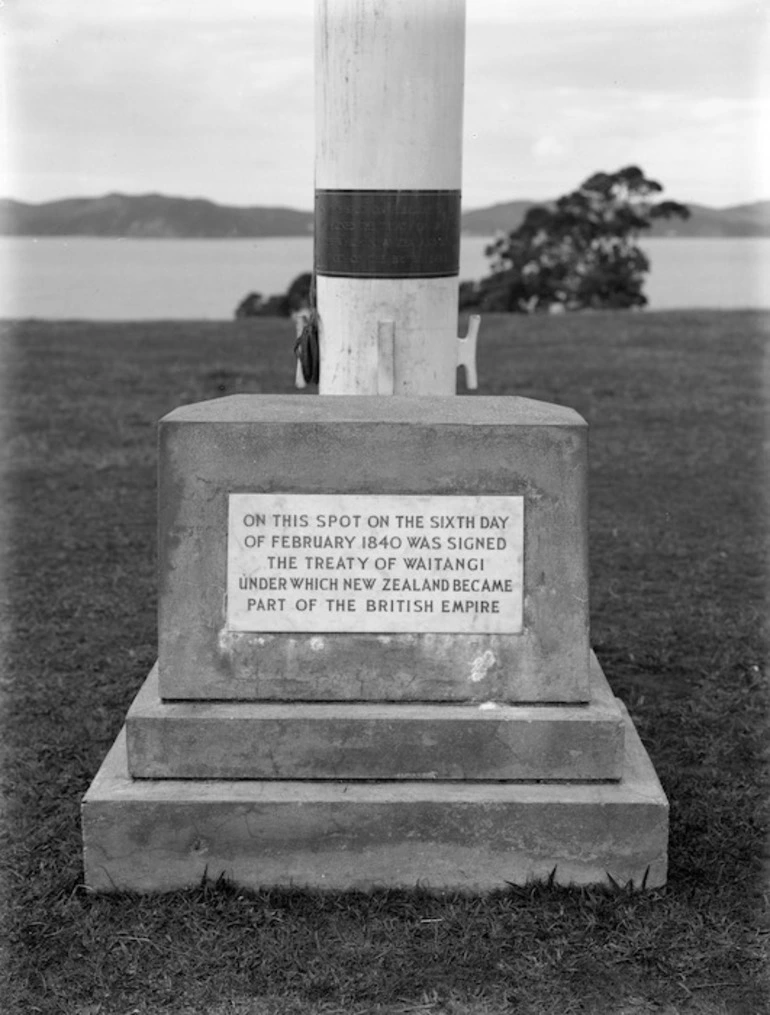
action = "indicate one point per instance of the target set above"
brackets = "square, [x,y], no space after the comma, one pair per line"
[206,280]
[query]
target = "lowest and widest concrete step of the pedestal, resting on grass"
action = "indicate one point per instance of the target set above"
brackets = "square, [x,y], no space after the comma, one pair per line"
[158,836]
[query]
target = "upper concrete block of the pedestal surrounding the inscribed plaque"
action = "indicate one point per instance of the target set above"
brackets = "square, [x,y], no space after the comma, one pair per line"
[369,445]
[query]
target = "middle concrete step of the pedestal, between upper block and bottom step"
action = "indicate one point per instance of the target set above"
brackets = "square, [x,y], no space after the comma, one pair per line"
[402,741]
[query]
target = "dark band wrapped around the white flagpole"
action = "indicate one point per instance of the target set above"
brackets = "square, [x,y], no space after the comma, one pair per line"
[388,234]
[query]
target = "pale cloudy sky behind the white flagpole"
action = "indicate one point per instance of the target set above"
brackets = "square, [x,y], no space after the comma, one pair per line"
[216,98]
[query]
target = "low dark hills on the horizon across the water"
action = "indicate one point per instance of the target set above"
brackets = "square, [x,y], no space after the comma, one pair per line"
[158,217]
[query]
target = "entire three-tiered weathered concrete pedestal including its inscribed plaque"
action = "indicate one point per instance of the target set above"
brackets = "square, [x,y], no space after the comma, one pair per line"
[368,747]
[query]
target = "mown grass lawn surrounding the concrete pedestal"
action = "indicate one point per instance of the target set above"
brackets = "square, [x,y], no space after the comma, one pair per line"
[679,546]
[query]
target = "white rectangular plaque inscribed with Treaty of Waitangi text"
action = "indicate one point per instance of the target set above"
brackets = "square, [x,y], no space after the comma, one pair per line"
[375,564]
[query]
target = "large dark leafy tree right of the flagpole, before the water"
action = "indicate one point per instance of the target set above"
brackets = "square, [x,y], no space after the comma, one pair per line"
[580,253]
